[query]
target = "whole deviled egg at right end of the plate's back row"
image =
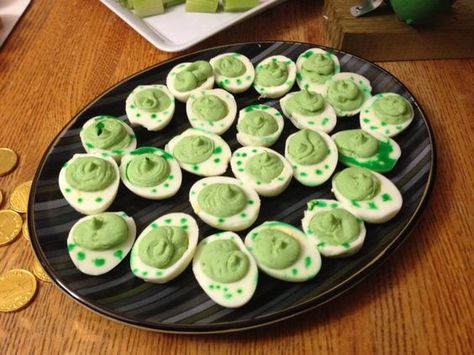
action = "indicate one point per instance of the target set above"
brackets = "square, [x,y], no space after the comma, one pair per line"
[315,67]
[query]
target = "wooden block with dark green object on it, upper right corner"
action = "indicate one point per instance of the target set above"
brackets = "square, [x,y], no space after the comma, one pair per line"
[412,29]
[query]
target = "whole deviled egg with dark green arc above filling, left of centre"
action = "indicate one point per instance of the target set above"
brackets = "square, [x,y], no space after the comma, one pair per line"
[151,173]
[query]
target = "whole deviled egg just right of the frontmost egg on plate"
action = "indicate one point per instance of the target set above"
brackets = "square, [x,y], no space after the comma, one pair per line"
[283,252]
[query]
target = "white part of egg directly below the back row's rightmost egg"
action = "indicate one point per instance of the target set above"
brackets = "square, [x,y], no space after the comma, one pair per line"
[325,120]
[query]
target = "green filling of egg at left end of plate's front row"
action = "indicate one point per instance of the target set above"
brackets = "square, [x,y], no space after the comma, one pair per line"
[101,232]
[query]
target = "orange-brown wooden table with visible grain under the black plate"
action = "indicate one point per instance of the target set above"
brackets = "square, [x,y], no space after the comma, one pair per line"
[64,53]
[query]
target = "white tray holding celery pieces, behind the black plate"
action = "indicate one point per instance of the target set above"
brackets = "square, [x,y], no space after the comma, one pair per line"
[176,29]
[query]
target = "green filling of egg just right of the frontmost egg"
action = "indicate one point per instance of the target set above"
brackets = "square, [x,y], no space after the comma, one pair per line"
[275,249]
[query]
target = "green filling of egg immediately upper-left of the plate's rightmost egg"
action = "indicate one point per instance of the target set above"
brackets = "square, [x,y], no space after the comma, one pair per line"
[344,95]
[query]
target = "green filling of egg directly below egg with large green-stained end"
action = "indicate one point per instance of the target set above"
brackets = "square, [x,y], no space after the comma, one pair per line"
[357,184]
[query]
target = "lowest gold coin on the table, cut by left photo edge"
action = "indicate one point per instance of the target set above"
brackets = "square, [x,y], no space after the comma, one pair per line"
[17,288]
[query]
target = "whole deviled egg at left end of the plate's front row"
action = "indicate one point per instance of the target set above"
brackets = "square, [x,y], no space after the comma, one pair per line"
[98,243]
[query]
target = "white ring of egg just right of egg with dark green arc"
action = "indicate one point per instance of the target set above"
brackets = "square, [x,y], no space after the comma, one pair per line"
[217,162]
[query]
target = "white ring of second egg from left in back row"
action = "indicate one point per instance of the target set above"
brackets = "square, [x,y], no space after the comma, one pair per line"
[237,84]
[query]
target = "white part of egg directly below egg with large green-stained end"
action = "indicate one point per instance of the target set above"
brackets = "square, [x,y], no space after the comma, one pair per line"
[383,207]
